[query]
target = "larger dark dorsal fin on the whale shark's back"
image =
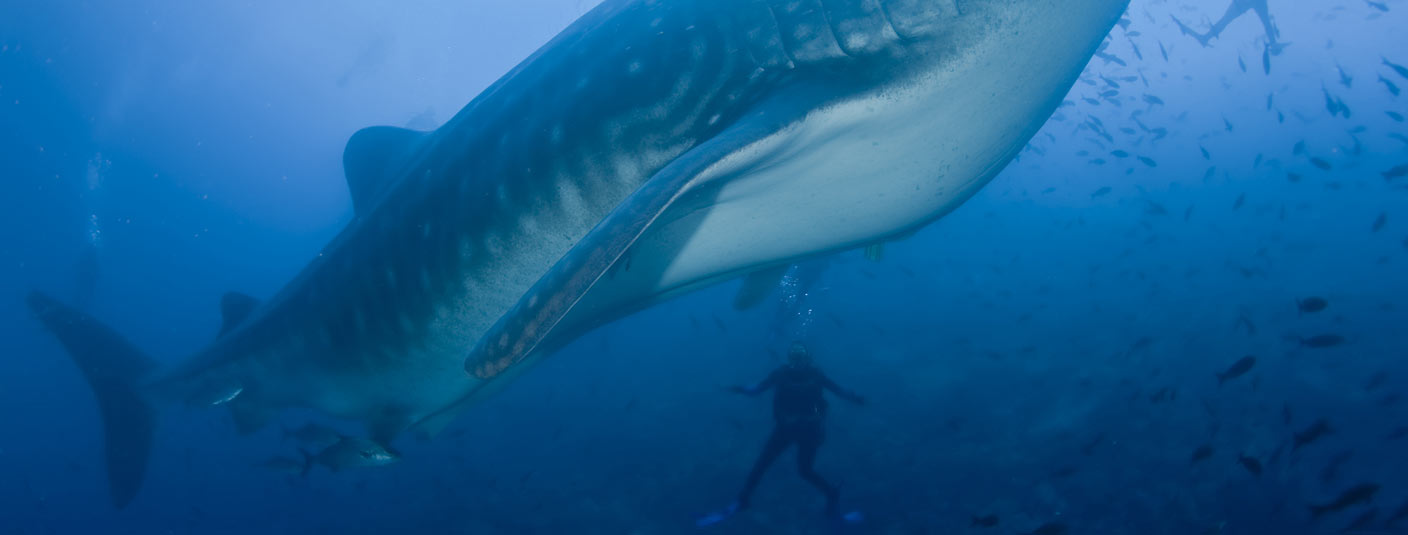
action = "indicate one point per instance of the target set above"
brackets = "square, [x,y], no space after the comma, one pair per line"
[374,160]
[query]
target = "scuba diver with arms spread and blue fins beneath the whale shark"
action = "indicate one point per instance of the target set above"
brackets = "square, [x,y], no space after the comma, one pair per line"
[799,412]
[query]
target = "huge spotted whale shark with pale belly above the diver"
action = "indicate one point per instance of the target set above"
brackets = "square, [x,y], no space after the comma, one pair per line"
[654,147]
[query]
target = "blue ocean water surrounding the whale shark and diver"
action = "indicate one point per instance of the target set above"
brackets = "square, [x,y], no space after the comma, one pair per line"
[1045,357]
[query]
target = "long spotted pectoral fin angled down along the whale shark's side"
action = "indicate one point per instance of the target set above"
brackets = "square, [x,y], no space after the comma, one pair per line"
[515,337]
